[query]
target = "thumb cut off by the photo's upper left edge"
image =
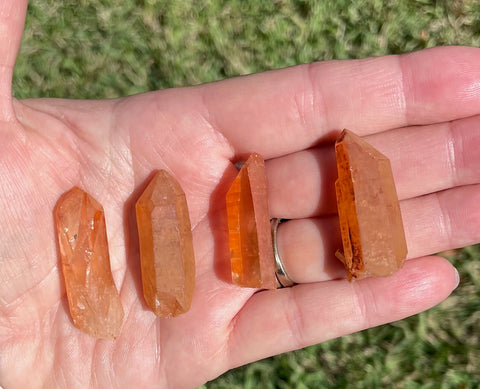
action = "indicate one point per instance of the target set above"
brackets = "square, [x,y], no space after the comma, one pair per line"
[12,17]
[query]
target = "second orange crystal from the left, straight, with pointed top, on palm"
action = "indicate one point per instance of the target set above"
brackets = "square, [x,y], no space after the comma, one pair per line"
[166,246]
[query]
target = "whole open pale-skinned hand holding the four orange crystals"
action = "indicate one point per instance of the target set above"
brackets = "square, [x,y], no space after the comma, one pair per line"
[290,116]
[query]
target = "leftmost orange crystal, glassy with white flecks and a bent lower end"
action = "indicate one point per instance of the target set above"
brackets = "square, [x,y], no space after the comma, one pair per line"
[93,299]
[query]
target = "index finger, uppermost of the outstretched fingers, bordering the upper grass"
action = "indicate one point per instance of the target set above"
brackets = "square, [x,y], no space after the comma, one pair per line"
[283,111]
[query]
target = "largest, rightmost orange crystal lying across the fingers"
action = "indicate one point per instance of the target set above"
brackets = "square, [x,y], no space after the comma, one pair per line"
[370,220]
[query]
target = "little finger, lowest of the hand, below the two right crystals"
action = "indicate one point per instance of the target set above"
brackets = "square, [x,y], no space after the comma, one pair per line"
[273,322]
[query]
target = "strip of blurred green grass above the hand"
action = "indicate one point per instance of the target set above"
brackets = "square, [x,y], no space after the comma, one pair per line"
[109,48]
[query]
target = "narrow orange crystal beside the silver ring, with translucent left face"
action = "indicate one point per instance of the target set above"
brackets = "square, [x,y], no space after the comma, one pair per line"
[249,231]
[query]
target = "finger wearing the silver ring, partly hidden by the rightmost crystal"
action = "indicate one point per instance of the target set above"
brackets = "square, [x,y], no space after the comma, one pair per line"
[432,223]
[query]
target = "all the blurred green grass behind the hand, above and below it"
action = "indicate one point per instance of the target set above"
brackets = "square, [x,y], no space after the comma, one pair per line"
[110,48]
